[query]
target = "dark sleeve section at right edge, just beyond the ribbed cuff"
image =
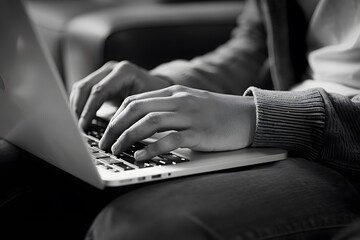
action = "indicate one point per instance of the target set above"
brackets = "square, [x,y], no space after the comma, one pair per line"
[341,147]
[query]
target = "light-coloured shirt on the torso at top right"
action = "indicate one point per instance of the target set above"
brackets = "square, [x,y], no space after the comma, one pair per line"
[333,40]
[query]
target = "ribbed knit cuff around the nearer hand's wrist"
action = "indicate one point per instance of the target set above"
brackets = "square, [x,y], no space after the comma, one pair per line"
[294,121]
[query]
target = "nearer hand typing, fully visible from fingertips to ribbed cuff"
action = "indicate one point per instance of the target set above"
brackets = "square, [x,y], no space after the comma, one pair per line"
[202,121]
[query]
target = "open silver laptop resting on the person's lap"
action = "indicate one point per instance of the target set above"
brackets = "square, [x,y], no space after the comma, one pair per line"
[35,116]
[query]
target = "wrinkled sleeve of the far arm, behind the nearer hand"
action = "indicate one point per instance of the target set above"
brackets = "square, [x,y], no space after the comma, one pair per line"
[232,67]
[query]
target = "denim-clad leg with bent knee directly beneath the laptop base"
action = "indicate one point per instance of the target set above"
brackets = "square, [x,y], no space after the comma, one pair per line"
[291,199]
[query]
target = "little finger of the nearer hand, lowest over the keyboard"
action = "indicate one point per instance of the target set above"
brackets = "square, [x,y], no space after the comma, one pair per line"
[172,141]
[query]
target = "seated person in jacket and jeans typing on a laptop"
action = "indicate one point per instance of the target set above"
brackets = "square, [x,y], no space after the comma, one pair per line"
[225,100]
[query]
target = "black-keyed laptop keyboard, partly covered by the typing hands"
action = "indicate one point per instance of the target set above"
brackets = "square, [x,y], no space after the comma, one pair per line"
[125,161]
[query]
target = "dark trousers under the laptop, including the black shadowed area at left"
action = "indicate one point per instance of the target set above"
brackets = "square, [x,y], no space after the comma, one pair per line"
[291,199]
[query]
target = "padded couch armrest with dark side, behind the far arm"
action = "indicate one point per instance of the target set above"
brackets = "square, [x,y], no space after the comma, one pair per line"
[138,33]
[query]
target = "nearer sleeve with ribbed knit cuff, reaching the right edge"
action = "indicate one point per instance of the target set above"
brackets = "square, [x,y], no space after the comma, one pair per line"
[312,124]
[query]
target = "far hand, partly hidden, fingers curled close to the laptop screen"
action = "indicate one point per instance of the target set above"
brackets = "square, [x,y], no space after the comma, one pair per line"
[113,80]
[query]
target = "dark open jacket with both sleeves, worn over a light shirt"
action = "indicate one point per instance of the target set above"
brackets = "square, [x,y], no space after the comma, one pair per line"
[271,37]
